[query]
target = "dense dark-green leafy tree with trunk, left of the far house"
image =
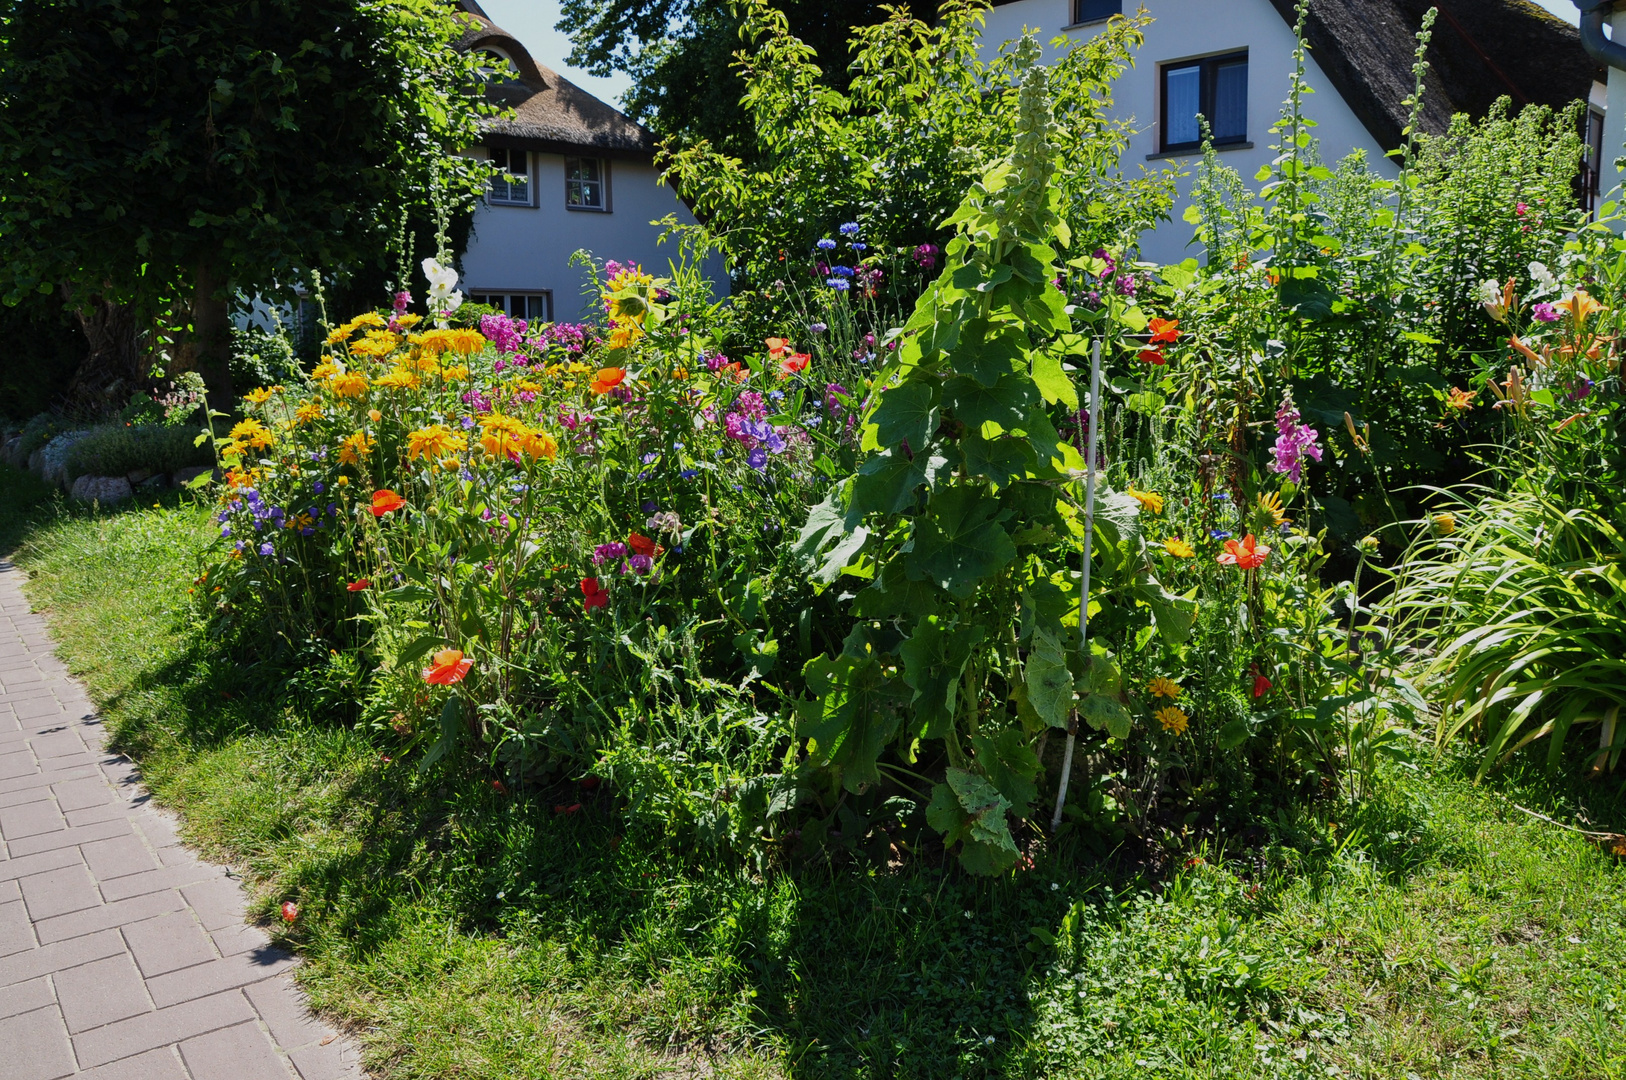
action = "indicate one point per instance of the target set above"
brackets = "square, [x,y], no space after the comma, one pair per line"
[155,150]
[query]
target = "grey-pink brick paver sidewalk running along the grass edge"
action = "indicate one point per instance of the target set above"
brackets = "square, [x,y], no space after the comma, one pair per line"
[123,956]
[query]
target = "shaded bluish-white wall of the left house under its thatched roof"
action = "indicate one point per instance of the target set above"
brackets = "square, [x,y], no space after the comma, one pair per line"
[526,250]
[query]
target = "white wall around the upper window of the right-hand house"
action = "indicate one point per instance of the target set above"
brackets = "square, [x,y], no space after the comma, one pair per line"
[1186,30]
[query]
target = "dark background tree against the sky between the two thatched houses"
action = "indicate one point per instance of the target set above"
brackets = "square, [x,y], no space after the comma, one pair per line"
[680,56]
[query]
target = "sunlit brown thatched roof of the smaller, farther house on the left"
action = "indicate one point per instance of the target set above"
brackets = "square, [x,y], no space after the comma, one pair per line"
[550,113]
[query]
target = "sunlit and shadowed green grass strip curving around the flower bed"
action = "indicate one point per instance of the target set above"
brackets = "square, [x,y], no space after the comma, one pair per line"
[464,933]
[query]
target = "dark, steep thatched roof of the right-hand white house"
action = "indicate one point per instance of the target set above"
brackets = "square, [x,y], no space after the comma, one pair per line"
[1480,51]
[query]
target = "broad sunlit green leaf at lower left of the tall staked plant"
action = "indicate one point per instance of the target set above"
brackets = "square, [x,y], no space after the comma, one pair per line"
[851,716]
